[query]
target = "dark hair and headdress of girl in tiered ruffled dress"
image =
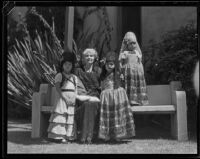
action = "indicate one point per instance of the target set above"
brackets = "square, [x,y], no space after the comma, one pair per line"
[70,57]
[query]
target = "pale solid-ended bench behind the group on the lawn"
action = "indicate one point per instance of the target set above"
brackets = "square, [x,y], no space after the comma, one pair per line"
[163,99]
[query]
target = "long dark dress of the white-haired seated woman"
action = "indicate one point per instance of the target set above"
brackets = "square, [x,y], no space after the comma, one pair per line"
[87,115]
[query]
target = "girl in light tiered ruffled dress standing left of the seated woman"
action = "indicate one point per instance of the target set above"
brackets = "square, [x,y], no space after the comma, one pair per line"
[62,125]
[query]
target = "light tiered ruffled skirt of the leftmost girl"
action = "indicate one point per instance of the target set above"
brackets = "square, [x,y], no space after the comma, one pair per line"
[62,124]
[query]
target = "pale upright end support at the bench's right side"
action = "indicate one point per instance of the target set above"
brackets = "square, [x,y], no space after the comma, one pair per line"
[179,119]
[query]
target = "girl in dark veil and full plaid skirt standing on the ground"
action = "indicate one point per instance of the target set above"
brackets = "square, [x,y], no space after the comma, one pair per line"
[116,119]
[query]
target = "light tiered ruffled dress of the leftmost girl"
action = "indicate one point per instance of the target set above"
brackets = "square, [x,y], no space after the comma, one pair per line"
[62,122]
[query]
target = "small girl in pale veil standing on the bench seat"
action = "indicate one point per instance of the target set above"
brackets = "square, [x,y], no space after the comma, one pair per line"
[130,59]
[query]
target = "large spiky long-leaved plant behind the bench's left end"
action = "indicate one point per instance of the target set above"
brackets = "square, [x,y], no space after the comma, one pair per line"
[33,61]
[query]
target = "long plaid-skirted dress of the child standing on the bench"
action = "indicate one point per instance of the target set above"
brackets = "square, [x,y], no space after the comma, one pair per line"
[134,80]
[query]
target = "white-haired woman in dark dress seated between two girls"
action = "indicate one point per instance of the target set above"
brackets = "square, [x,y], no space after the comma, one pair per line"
[87,115]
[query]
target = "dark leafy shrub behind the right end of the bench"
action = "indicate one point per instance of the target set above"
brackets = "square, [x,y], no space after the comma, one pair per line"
[174,59]
